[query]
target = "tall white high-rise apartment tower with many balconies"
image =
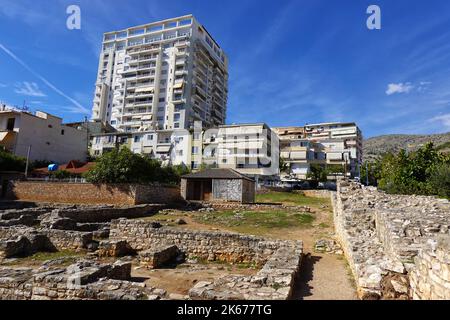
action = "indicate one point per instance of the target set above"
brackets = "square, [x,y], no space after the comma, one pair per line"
[161,76]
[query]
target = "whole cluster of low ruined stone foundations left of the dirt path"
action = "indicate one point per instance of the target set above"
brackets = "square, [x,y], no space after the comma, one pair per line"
[108,232]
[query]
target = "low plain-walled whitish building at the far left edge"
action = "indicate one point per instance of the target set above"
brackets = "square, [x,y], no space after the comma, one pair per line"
[43,136]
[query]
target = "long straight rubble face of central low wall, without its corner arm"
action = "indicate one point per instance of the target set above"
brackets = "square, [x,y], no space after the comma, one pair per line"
[221,246]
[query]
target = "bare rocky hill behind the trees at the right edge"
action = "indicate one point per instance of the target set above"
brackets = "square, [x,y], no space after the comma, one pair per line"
[395,142]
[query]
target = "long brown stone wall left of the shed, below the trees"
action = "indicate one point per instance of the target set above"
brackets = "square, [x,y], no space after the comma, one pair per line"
[85,193]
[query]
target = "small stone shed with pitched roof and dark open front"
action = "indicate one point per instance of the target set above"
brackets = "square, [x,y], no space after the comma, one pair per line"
[218,185]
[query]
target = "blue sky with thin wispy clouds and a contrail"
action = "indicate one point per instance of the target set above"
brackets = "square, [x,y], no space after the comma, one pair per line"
[291,62]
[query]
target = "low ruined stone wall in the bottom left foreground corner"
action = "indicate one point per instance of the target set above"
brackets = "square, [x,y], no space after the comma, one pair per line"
[82,281]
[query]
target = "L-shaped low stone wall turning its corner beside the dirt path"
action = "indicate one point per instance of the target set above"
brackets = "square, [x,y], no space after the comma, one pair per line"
[280,260]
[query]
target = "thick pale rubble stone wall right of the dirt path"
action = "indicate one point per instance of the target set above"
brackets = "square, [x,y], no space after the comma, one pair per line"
[397,246]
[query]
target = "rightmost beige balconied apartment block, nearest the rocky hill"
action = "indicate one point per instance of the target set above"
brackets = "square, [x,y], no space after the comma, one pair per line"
[324,144]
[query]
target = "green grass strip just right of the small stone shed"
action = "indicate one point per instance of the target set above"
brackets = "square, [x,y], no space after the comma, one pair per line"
[292,198]
